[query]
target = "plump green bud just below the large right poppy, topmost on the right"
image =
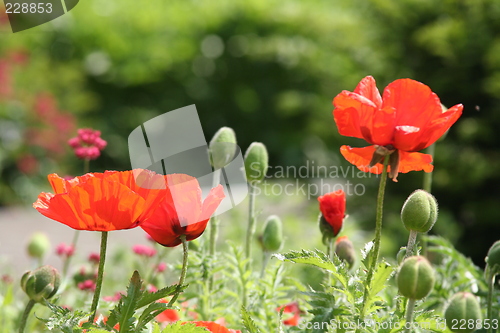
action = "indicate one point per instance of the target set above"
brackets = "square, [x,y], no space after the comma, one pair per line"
[420,211]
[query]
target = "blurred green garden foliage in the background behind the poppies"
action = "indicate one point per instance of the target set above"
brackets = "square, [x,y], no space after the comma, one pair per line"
[268,69]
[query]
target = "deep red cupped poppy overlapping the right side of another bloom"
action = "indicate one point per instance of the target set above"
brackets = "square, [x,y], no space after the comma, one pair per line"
[182,212]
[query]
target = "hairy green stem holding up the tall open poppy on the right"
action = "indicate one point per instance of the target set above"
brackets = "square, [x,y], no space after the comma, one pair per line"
[378,235]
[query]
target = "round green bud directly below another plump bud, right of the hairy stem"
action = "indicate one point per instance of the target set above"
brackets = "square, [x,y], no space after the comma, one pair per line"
[415,277]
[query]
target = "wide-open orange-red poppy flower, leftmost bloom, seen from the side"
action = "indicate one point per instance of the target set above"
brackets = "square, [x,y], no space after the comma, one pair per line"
[102,201]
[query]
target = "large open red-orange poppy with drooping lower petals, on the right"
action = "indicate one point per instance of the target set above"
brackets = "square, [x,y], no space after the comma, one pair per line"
[408,118]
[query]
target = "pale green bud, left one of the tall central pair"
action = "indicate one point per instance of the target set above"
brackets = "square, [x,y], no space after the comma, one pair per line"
[222,147]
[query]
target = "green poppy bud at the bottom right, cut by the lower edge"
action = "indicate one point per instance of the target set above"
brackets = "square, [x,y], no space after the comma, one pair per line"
[463,308]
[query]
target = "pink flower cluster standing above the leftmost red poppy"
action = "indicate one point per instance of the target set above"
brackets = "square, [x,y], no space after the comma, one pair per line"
[87,144]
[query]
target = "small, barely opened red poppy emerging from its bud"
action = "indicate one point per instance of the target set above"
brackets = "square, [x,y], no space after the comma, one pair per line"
[332,207]
